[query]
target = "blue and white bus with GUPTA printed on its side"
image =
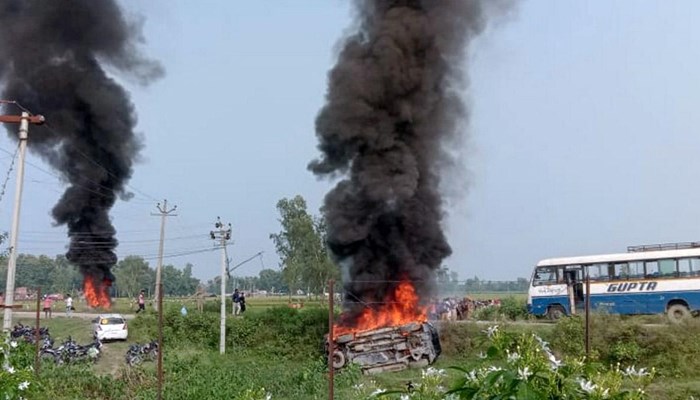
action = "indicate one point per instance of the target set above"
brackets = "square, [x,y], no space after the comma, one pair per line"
[646,280]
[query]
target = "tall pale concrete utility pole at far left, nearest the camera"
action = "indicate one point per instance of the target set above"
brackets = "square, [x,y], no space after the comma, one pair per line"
[24,120]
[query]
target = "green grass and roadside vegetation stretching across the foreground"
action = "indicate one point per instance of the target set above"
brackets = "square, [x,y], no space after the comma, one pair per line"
[277,351]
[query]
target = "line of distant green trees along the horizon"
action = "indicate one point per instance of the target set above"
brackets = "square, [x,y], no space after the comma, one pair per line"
[305,266]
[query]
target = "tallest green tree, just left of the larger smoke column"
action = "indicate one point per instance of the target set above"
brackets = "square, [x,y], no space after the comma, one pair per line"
[301,247]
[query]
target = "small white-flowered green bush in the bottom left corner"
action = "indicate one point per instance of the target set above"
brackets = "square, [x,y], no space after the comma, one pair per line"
[16,373]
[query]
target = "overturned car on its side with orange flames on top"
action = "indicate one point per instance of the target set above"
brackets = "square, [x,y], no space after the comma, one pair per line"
[392,338]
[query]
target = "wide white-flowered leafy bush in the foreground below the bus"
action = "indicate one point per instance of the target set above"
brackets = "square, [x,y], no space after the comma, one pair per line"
[522,367]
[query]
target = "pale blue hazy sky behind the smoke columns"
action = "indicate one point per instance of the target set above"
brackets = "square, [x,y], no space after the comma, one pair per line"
[583,139]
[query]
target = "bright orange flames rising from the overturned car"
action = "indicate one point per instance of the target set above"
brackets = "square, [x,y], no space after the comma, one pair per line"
[399,308]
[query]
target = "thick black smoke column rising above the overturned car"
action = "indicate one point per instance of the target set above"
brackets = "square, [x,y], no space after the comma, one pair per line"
[393,106]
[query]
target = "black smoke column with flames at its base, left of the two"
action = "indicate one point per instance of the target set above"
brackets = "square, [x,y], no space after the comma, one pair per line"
[51,61]
